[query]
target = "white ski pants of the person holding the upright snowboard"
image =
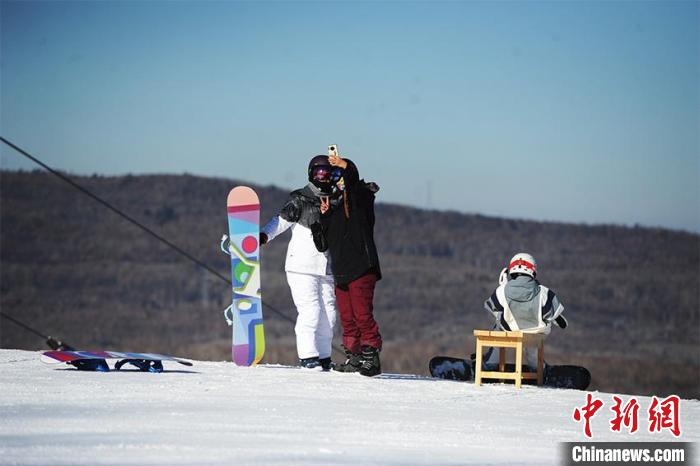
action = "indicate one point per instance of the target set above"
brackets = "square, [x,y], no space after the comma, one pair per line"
[314,297]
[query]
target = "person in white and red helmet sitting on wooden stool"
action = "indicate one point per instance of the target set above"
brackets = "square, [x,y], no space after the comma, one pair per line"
[521,303]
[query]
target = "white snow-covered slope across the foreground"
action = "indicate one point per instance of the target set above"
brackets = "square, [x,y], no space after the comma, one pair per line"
[217,413]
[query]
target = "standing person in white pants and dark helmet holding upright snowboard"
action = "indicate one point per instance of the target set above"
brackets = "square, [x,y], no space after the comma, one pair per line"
[308,271]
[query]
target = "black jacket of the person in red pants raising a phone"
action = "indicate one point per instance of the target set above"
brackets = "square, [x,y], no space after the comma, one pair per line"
[348,229]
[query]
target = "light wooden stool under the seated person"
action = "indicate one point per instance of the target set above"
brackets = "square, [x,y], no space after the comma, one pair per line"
[503,340]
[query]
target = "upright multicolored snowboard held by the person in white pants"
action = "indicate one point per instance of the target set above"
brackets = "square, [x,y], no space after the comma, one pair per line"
[243,209]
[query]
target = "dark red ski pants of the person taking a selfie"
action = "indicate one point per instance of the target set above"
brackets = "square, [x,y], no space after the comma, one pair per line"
[354,302]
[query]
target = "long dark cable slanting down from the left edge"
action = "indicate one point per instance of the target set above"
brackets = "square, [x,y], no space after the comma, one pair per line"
[139,225]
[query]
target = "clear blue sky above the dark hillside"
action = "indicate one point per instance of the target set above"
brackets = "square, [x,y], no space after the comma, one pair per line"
[565,111]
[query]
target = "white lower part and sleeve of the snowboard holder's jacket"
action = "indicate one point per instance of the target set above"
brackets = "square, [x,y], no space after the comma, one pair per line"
[302,255]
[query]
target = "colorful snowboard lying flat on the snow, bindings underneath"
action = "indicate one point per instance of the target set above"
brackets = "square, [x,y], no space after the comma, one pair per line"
[81,359]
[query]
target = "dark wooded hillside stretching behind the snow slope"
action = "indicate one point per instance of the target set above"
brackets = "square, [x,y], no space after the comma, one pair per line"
[73,269]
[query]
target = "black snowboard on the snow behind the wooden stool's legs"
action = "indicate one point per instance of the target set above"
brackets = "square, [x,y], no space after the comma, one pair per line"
[576,377]
